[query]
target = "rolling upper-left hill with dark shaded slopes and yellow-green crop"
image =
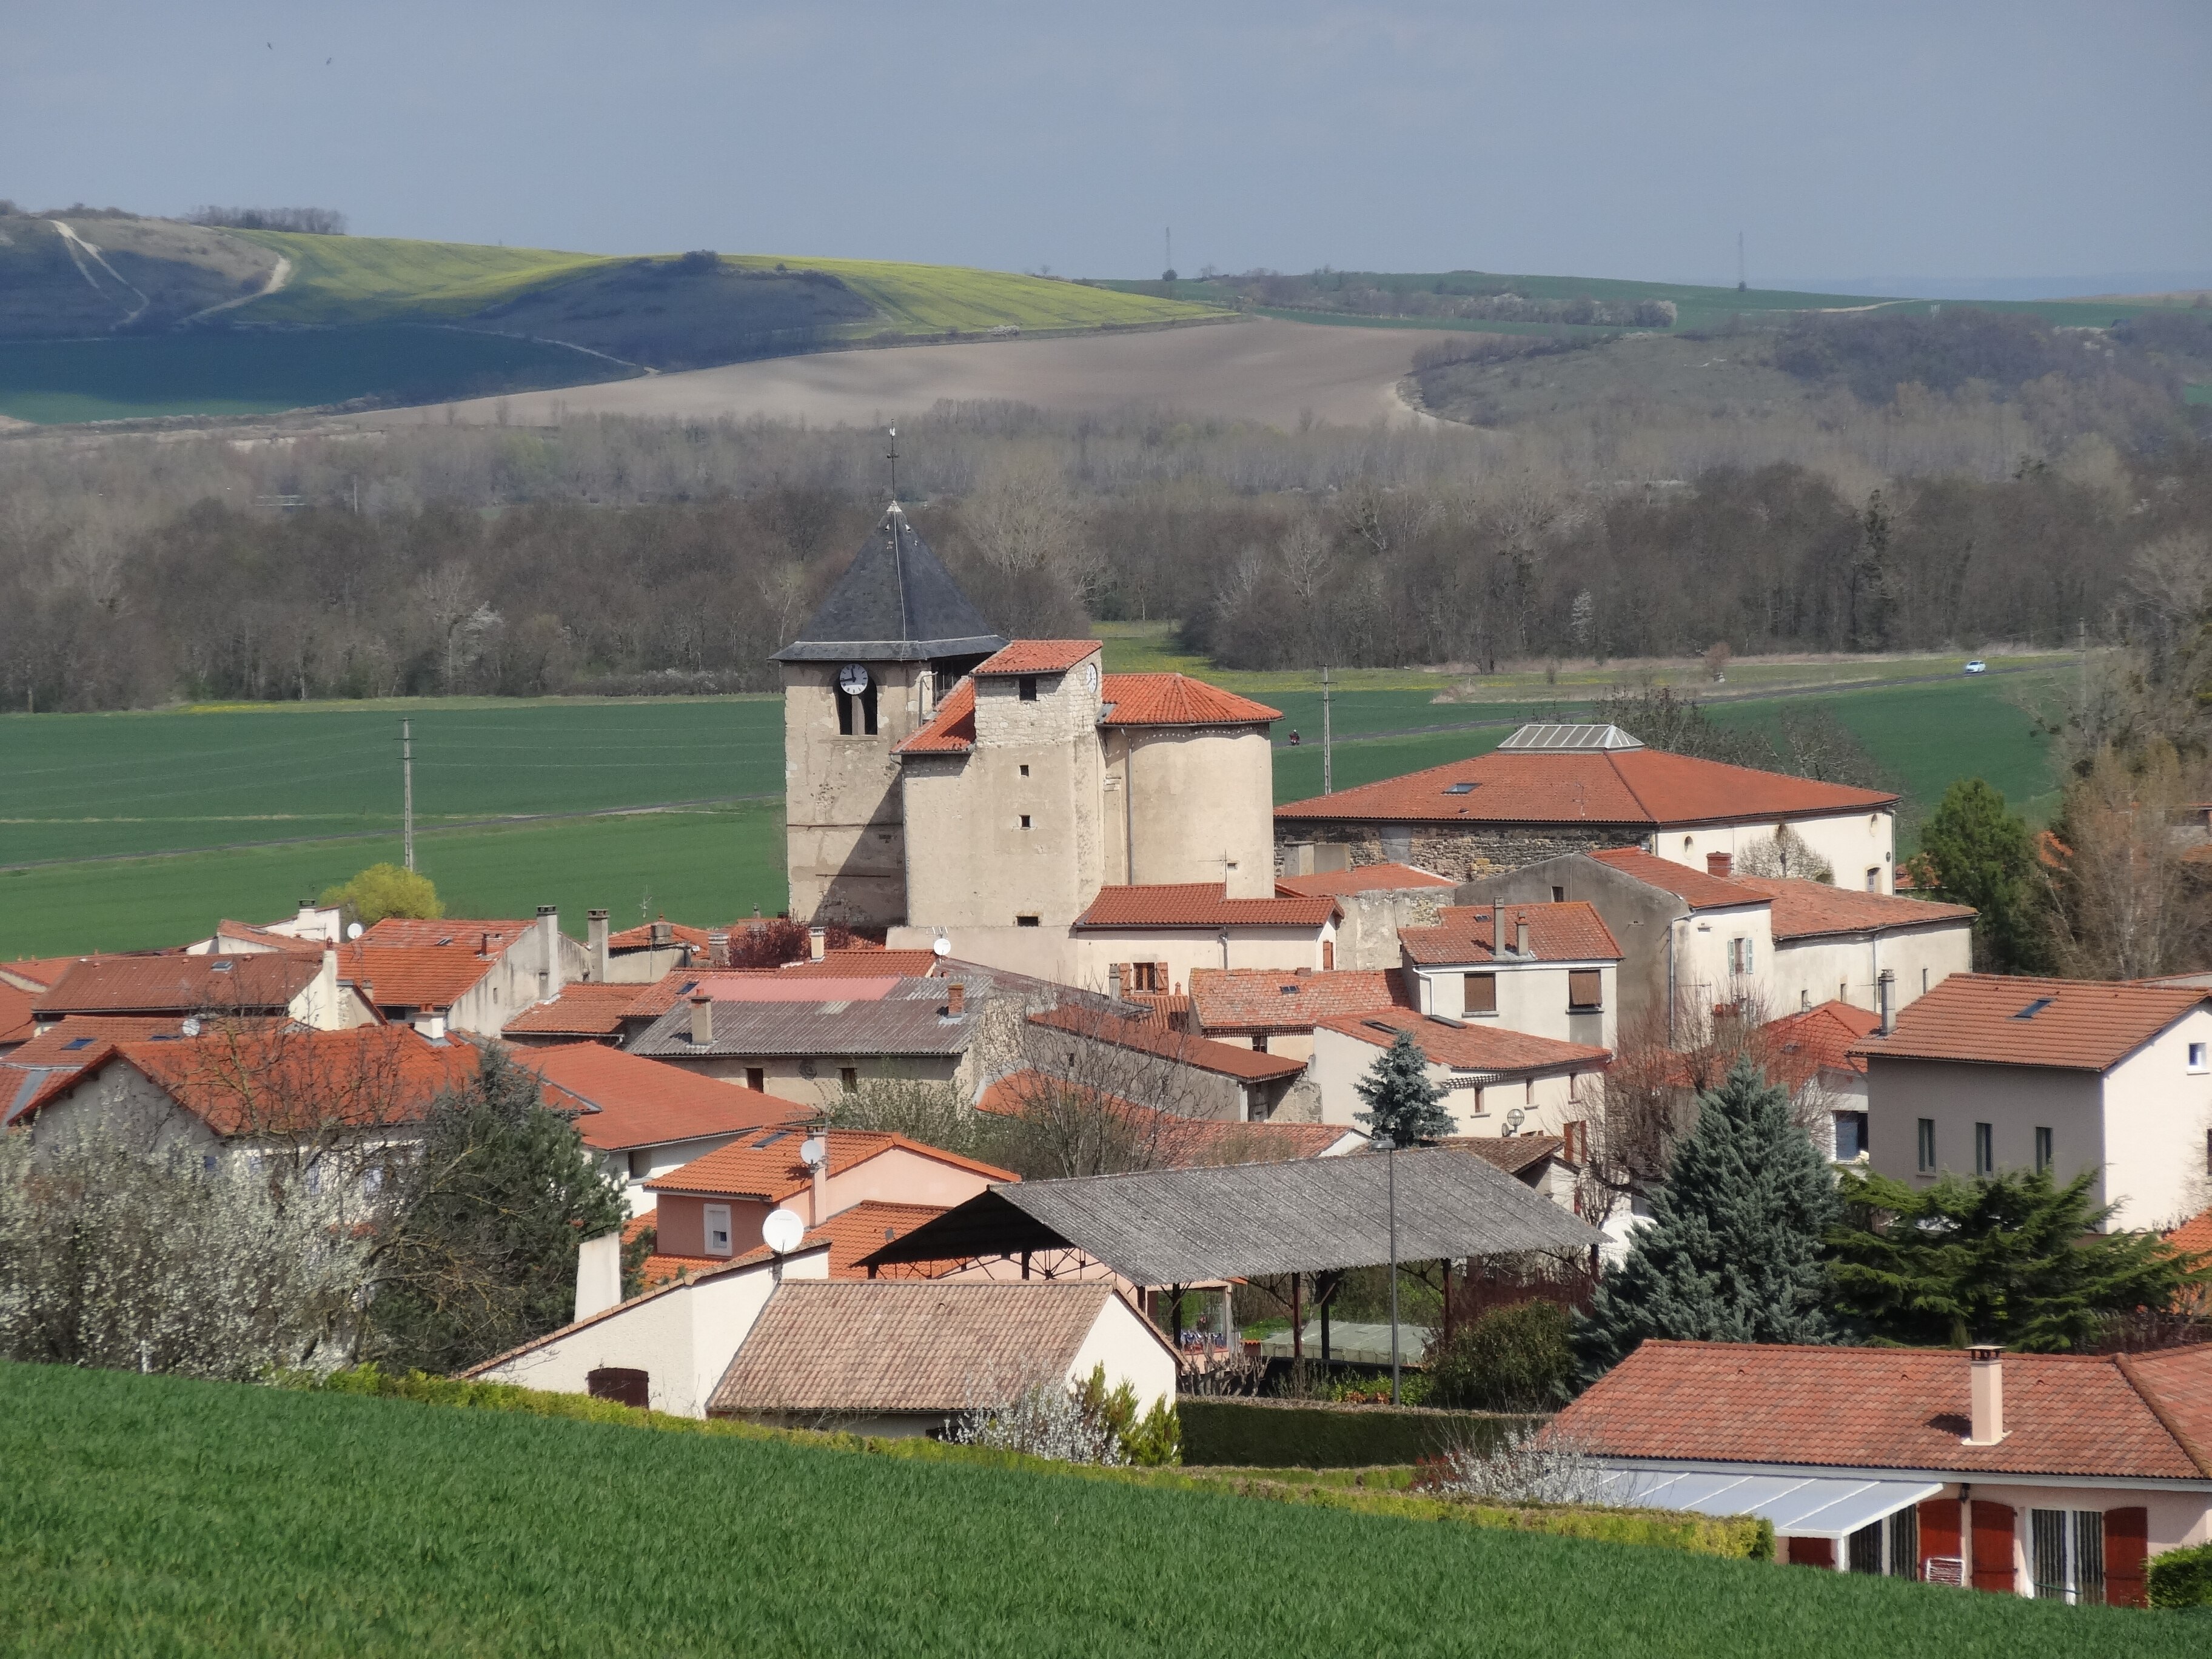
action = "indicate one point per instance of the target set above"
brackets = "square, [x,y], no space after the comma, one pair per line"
[109,315]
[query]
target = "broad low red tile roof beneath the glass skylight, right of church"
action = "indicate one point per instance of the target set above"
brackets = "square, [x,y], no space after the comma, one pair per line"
[1634,789]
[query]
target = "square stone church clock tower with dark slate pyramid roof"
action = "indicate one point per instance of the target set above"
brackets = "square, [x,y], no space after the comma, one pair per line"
[864,676]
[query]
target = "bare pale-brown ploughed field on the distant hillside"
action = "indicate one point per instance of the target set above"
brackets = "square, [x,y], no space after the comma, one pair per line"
[1253,371]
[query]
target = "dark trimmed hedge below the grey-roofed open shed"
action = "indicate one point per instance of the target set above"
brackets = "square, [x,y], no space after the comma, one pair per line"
[1297,1434]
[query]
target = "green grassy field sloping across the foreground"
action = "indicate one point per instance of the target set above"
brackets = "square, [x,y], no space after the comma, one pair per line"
[194,1519]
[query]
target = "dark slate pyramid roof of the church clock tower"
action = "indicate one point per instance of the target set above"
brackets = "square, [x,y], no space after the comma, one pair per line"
[897,603]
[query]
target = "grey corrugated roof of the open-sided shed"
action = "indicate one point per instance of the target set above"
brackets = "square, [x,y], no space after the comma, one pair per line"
[1302,1215]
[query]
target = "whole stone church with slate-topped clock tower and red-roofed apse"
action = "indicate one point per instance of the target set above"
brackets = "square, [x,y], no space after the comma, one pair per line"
[1019,802]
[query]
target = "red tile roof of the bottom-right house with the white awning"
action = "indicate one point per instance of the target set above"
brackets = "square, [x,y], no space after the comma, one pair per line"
[1886,1408]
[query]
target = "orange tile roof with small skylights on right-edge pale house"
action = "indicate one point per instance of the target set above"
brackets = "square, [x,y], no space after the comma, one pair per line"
[2003,1021]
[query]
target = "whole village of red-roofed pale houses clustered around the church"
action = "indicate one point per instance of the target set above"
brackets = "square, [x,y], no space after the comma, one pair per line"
[1457,1021]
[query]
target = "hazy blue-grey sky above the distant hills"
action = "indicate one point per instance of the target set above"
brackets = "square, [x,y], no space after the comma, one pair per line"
[1846,143]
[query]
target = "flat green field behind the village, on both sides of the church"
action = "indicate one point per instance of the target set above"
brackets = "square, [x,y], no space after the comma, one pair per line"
[267,804]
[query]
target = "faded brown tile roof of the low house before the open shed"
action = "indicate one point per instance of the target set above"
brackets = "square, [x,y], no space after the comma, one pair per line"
[906,1346]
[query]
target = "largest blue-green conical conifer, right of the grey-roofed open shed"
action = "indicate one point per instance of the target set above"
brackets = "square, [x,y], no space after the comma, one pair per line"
[1733,1253]
